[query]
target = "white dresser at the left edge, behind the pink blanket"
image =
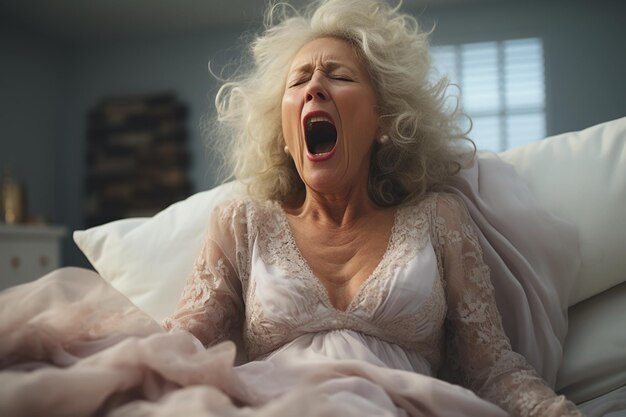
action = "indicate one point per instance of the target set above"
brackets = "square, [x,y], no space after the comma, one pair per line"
[28,252]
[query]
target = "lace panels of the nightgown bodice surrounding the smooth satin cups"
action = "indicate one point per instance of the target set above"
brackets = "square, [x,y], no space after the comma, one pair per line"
[410,234]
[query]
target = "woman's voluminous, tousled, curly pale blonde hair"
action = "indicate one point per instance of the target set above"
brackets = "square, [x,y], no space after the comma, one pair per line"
[425,139]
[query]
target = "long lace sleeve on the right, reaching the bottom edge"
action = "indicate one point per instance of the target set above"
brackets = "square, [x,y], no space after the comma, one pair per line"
[479,354]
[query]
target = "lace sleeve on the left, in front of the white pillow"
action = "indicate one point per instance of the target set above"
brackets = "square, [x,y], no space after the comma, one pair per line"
[211,305]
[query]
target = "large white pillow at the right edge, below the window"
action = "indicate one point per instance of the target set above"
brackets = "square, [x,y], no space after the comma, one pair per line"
[581,177]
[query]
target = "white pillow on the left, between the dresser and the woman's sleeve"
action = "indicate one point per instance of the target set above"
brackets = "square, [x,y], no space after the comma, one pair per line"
[149,259]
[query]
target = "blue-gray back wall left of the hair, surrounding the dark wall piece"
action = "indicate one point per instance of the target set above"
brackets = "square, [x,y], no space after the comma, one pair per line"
[142,66]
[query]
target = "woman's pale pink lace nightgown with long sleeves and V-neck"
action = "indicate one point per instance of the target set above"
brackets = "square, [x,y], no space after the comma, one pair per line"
[427,308]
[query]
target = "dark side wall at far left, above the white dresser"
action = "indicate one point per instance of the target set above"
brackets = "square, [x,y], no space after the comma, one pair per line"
[32,81]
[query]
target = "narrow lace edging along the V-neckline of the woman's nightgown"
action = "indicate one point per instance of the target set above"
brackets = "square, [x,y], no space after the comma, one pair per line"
[314,279]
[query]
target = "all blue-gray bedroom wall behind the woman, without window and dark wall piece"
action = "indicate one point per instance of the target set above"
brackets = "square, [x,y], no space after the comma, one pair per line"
[47,86]
